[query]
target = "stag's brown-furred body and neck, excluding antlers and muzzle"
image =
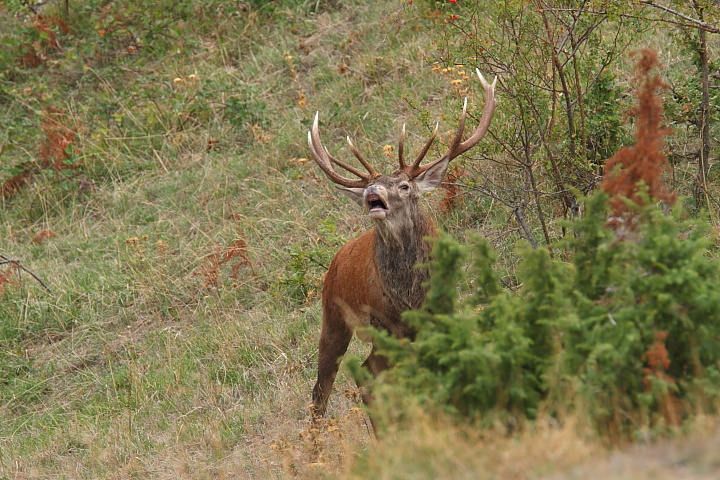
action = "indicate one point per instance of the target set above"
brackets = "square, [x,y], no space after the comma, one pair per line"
[370,282]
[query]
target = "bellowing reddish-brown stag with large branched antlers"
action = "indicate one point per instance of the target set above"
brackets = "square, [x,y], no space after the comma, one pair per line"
[376,277]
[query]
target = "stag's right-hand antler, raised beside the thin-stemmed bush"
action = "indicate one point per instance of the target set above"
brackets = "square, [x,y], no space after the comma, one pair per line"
[457,147]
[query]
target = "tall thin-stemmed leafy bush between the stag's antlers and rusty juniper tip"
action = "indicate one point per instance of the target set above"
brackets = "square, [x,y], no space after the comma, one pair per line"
[563,103]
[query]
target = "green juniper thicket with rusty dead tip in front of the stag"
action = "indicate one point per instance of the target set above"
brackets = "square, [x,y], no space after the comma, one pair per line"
[624,333]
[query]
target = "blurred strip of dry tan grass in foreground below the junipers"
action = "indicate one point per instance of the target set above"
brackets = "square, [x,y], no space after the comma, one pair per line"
[433,448]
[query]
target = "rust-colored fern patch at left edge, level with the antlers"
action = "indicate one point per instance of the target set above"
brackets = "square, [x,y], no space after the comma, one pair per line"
[52,152]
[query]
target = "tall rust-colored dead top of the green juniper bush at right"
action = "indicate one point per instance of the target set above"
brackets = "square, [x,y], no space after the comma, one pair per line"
[642,162]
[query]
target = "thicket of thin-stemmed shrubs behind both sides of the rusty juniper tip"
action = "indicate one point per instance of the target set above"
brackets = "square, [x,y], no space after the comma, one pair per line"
[565,101]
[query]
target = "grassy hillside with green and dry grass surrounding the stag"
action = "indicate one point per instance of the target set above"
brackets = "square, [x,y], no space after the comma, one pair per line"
[155,177]
